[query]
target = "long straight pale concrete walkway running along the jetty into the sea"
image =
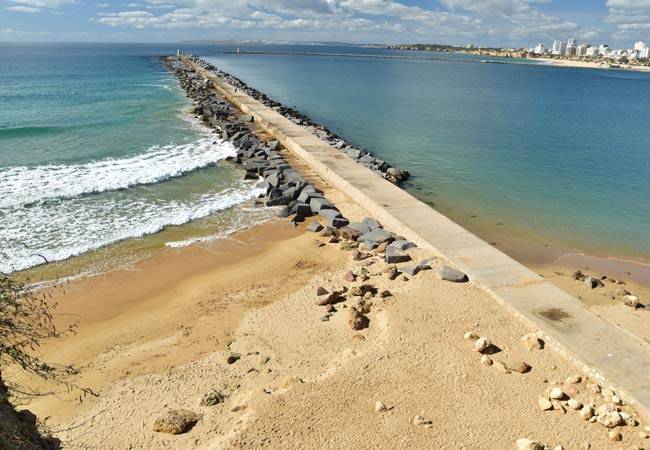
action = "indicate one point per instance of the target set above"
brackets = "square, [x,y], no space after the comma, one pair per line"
[604,351]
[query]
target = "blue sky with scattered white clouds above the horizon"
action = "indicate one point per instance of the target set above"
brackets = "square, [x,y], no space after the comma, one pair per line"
[500,23]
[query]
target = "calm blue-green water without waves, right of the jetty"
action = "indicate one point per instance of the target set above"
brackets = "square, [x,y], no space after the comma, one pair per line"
[558,153]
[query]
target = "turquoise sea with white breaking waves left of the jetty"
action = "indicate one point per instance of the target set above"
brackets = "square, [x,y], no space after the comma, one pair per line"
[96,147]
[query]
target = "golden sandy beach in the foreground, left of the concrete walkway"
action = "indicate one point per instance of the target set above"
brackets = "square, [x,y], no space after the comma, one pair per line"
[158,339]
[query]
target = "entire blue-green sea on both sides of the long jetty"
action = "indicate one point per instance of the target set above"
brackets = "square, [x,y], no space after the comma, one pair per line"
[97,147]
